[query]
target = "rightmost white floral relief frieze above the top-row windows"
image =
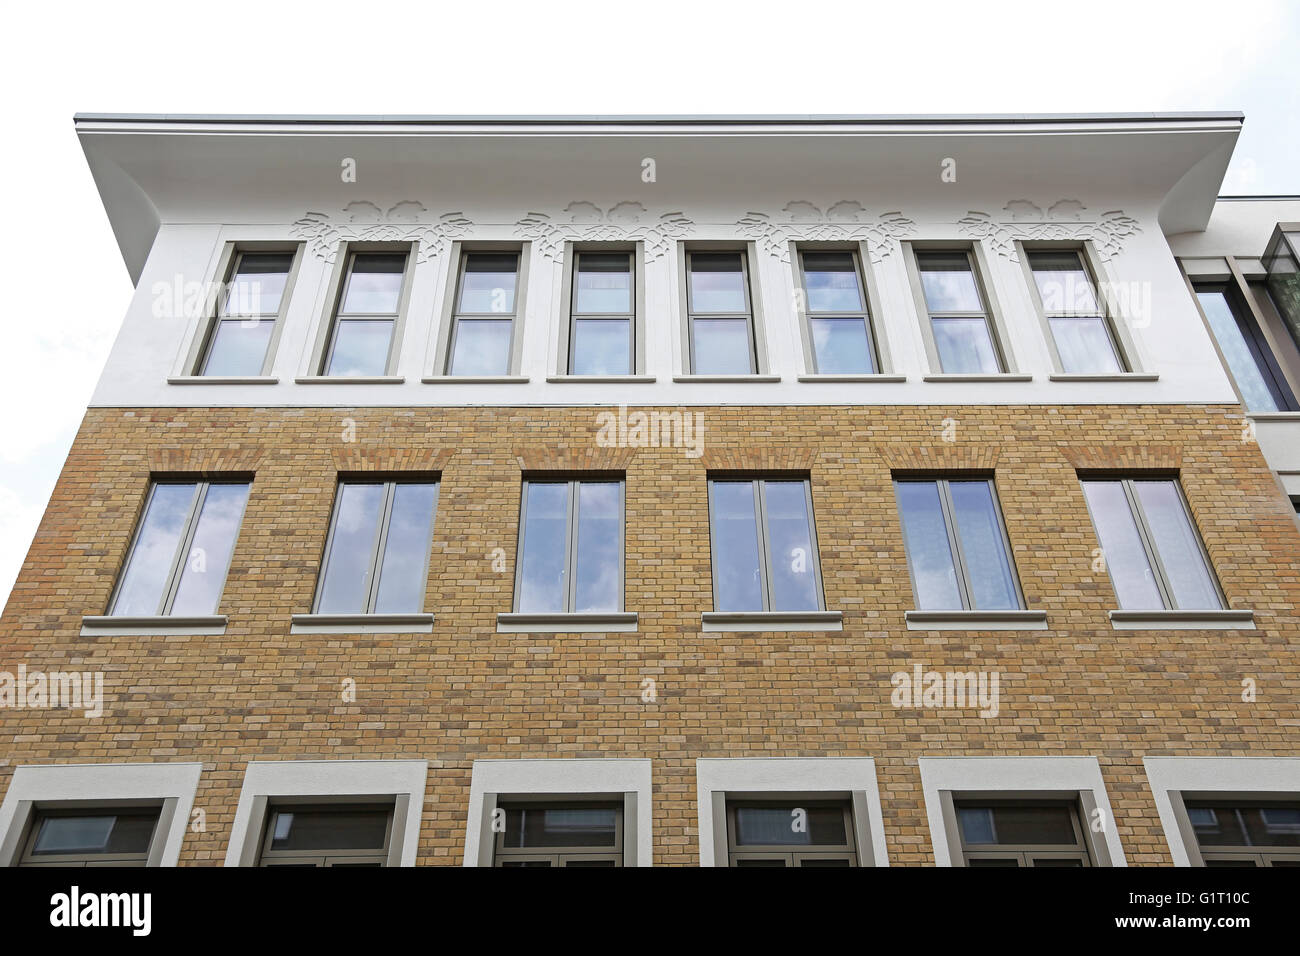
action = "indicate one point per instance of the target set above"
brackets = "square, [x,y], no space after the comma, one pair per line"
[1063,220]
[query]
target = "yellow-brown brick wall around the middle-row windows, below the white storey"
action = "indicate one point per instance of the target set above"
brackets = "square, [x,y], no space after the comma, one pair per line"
[467,693]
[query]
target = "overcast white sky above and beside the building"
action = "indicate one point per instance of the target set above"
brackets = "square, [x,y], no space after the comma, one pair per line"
[664,57]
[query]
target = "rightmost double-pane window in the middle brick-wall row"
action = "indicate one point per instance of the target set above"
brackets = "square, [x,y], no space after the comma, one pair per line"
[1151,547]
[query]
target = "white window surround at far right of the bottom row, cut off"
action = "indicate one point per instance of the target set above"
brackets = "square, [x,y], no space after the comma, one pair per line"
[1172,778]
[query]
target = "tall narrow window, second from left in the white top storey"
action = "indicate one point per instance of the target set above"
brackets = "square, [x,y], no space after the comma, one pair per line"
[362,338]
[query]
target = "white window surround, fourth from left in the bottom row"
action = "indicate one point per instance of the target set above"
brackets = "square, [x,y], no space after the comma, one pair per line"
[855,778]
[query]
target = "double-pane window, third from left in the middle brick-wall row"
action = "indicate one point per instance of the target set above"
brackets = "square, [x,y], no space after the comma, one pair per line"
[571,548]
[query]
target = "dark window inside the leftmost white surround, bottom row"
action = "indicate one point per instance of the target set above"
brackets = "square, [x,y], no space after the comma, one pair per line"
[92,838]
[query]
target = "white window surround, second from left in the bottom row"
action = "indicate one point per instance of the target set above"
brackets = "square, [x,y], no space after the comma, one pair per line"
[330,781]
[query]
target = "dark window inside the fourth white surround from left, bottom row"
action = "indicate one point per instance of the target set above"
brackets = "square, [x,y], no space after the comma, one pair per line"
[805,833]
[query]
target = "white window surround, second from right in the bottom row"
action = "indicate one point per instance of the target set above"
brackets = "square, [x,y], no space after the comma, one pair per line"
[1016,777]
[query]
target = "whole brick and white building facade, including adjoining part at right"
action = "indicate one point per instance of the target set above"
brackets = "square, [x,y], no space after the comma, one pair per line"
[669,491]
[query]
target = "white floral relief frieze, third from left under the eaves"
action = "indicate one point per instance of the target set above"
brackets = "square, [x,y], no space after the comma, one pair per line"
[844,222]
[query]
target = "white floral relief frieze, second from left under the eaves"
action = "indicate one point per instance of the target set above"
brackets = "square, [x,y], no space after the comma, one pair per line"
[584,222]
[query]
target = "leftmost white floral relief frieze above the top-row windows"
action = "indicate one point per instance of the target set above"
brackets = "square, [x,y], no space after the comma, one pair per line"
[365,222]
